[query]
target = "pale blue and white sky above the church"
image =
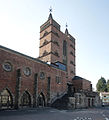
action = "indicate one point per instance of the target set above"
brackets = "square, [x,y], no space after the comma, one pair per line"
[88,23]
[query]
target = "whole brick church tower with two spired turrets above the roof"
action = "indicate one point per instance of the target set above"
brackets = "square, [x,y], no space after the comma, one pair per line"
[57,47]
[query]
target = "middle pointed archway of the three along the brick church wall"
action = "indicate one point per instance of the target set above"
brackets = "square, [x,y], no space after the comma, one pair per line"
[26,99]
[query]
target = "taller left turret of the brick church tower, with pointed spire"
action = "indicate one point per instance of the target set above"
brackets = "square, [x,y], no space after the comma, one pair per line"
[49,37]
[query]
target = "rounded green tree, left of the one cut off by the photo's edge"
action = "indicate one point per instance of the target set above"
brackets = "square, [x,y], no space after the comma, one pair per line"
[101,85]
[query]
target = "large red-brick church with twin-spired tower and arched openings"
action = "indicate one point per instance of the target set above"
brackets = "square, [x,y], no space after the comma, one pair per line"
[42,81]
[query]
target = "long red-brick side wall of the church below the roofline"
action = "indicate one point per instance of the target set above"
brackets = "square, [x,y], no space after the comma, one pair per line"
[18,61]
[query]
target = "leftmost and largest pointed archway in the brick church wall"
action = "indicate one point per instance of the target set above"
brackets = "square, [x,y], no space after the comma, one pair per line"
[6,100]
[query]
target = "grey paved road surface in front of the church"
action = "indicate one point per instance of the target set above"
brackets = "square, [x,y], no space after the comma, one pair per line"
[54,114]
